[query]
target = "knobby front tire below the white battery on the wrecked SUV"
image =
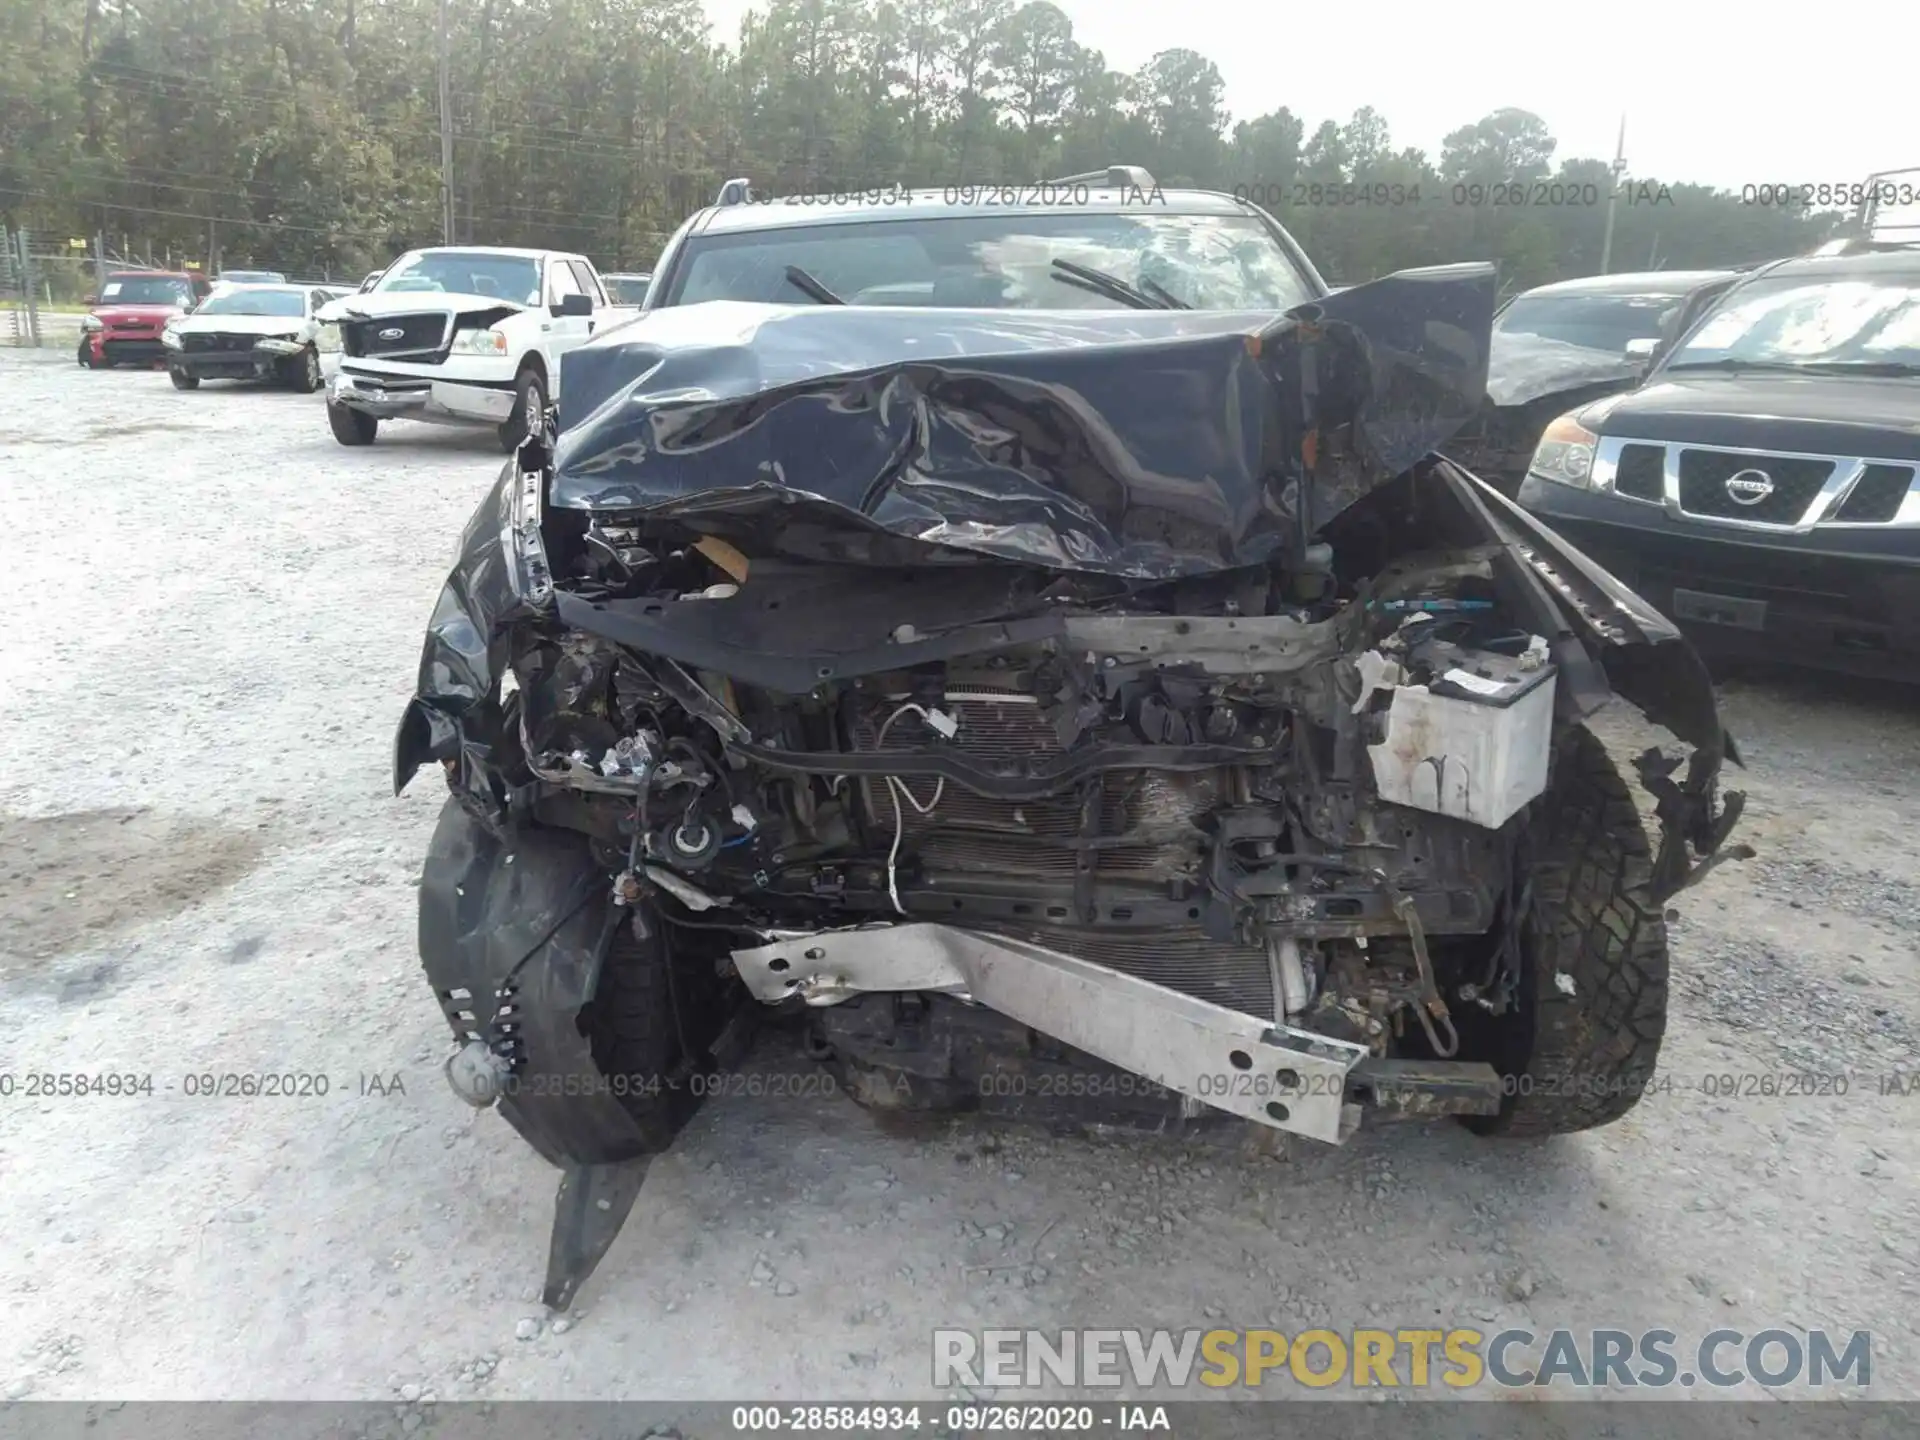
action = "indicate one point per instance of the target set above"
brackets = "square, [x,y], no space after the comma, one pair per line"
[1581,1044]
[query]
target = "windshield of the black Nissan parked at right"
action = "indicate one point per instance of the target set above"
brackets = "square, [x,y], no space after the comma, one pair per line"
[1867,322]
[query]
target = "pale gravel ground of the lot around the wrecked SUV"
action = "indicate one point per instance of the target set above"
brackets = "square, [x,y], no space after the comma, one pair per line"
[204,873]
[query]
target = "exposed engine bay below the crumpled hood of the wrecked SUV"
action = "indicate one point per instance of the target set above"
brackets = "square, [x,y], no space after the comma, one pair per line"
[1172,780]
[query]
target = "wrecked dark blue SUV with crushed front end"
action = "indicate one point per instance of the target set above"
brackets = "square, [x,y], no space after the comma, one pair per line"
[1122,694]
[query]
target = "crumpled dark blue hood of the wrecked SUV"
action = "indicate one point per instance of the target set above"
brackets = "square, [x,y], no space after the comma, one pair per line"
[1143,444]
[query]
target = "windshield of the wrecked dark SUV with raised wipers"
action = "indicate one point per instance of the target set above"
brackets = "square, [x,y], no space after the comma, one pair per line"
[1001,262]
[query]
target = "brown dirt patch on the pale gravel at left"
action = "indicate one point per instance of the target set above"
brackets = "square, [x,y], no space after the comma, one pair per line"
[70,880]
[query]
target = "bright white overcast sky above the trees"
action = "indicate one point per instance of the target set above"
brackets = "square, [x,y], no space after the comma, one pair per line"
[1714,93]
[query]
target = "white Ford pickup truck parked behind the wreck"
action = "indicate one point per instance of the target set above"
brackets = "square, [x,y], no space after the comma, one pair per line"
[462,335]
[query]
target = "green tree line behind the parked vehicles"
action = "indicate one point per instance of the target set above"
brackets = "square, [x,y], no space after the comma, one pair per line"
[306,133]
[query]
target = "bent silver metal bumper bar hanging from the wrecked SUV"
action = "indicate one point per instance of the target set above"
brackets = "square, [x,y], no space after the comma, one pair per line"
[1276,1076]
